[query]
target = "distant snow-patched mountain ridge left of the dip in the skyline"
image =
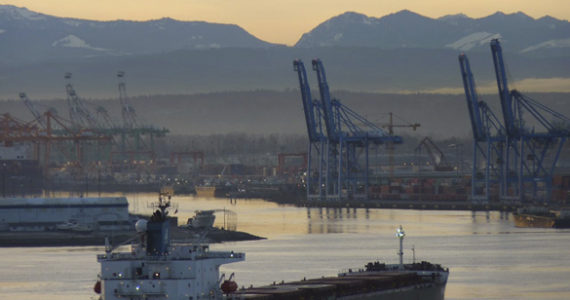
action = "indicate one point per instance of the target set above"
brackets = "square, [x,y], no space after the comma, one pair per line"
[29,36]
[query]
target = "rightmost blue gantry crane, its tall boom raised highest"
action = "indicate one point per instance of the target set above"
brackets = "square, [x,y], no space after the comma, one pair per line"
[535,136]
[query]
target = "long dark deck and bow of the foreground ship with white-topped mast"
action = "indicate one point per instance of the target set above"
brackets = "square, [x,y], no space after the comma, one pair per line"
[375,281]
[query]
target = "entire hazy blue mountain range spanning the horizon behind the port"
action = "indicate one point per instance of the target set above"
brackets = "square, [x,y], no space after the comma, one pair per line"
[403,51]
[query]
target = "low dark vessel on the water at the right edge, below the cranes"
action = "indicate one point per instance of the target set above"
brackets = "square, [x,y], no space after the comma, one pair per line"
[541,217]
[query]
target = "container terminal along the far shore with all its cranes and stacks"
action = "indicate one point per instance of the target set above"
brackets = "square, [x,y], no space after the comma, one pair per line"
[515,157]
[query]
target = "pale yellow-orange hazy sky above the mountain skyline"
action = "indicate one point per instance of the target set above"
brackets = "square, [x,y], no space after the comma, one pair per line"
[281,21]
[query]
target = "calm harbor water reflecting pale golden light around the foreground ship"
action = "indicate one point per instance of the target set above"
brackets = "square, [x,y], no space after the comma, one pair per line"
[487,256]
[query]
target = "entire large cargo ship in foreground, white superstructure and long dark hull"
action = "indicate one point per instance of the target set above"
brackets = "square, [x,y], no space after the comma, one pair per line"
[155,268]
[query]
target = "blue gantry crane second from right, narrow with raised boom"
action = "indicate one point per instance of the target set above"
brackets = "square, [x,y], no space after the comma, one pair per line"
[488,140]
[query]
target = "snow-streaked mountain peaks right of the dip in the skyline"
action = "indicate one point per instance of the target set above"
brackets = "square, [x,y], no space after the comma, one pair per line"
[406,29]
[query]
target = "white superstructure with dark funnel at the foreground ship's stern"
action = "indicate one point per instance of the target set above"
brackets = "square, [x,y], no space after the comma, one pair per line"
[156,269]
